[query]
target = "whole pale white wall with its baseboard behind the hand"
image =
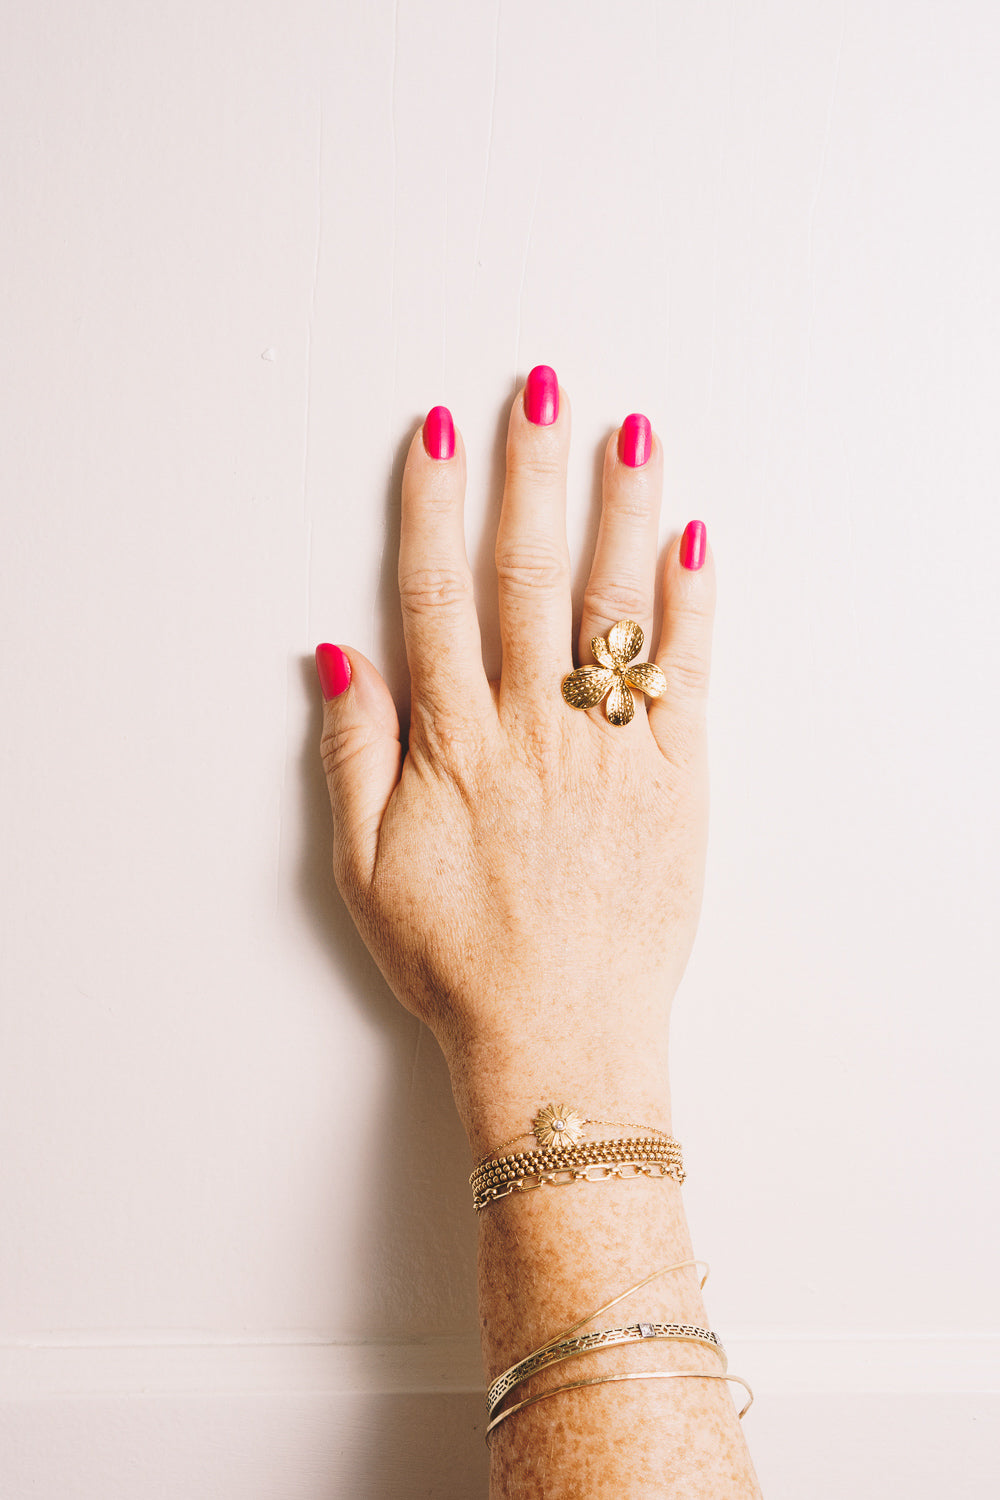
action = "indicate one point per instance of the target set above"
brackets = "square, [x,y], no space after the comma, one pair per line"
[244,250]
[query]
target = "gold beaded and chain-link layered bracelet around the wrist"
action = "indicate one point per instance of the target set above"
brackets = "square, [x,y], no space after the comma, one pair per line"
[557,1166]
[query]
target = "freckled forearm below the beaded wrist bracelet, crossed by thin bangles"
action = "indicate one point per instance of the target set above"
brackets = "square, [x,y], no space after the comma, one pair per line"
[552,1255]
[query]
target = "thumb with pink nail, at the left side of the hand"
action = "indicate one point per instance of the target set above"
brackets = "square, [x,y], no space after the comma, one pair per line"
[362,757]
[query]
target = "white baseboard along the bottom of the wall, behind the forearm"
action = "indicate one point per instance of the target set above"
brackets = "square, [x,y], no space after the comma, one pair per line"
[166,1420]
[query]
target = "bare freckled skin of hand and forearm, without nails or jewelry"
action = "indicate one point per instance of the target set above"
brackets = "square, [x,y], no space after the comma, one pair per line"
[528,878]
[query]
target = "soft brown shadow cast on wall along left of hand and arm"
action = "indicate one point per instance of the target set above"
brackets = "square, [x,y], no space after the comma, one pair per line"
[413,1271]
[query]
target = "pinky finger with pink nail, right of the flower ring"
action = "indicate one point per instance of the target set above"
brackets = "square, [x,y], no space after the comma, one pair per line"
[686,644]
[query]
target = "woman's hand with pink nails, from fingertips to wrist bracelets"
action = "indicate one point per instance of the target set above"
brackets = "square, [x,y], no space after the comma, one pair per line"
[528,875]
